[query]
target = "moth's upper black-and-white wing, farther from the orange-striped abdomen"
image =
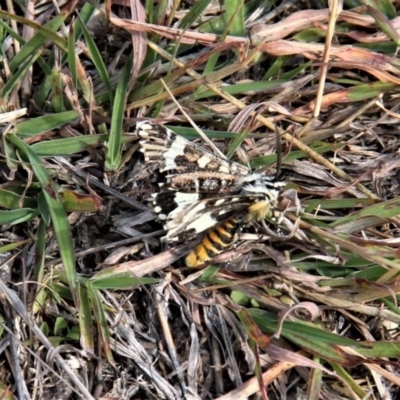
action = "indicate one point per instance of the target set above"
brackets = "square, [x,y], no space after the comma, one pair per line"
[191,173]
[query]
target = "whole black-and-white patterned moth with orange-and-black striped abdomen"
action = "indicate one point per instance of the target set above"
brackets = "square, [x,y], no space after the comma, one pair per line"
[204,194]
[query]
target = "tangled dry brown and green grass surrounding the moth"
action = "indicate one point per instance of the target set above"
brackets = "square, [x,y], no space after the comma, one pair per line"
[94,307]
